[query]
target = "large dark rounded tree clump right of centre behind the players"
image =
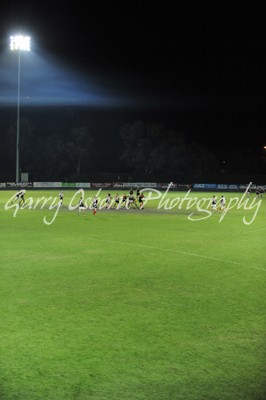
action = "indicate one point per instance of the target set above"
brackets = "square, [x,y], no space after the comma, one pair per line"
[153,149]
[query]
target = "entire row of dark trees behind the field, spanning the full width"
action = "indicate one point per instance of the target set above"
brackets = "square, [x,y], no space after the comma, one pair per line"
[148,149]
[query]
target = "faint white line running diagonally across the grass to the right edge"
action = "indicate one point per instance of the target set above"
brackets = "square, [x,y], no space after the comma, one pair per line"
[179,252]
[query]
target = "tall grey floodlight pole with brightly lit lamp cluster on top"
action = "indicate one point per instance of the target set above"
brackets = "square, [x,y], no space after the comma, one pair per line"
[18,43]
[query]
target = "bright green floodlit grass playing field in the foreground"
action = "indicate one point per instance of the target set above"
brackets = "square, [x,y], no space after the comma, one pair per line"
[132,304]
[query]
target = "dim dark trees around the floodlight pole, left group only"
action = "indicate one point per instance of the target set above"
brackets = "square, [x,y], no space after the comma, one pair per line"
[49,156]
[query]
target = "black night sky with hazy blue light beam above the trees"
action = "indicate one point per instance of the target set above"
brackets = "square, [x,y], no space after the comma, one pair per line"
[119,63]
